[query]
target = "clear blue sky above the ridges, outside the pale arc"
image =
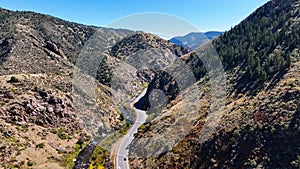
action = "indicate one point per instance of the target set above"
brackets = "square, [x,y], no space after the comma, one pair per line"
[206,15]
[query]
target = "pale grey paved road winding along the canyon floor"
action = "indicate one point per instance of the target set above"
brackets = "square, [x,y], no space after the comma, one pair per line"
[122,151]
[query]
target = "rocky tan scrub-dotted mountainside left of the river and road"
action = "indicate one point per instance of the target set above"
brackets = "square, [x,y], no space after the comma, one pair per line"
[46,115]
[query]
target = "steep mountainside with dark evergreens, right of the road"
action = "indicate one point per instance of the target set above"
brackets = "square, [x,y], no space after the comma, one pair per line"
[259,127]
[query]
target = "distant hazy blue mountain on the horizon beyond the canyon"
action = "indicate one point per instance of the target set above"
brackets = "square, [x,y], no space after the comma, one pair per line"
[195,39]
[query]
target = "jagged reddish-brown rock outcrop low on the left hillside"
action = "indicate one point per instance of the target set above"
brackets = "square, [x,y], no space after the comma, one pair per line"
[43,109]
